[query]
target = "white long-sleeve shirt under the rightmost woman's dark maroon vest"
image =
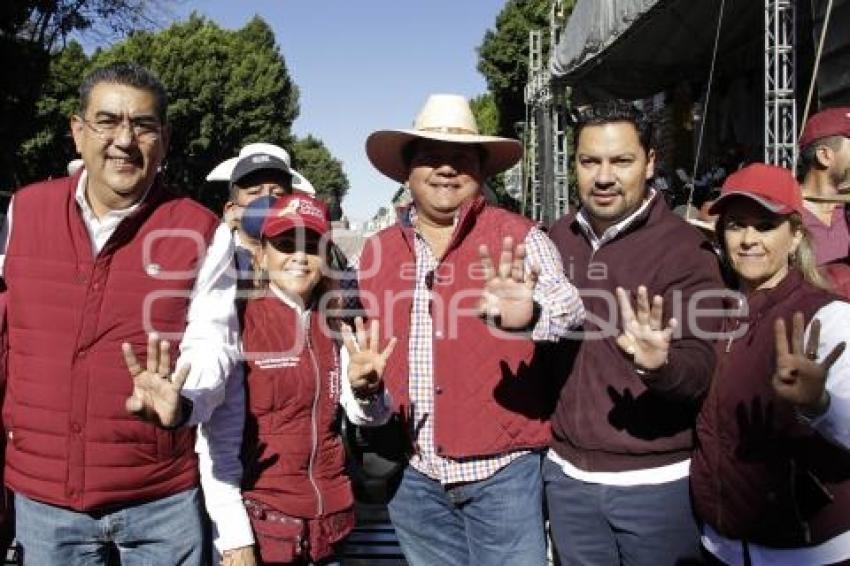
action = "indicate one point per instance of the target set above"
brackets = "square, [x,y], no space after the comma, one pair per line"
[833,425]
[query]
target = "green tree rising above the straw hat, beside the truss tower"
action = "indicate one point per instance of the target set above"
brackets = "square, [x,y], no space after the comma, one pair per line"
[503,56]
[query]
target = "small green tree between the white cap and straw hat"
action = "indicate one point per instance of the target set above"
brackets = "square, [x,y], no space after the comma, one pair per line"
[325,173]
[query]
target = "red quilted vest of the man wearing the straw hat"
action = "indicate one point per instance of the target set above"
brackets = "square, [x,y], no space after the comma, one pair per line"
[491,392]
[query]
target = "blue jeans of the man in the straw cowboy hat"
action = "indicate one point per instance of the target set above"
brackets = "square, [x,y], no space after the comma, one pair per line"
[498,520]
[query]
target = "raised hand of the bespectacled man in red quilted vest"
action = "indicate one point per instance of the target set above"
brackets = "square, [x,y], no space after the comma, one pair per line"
[156,390]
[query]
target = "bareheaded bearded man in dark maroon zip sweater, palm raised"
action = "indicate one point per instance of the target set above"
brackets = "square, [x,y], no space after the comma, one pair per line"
[617,474]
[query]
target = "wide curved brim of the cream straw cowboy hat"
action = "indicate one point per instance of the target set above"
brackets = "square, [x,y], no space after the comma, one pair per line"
[384,149]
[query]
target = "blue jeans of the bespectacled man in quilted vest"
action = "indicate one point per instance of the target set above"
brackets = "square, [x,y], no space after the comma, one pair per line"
[166,531]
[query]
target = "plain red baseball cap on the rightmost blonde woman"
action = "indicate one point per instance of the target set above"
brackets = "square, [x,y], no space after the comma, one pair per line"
[773,187]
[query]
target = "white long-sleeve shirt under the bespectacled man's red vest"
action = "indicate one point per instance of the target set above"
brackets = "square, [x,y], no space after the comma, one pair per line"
[209,344]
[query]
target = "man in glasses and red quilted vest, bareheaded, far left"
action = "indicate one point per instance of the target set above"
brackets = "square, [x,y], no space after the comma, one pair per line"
[108,271]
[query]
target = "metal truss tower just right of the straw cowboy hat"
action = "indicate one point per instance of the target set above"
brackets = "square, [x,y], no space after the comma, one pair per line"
[545,190]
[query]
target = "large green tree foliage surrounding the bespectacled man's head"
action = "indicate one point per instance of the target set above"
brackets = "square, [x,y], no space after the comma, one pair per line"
[226,89]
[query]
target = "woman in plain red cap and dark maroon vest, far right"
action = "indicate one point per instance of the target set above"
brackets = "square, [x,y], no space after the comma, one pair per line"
[770,477]
